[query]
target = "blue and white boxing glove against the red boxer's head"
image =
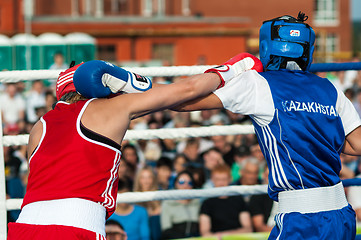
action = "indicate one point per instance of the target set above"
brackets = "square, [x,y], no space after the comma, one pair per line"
[99,79]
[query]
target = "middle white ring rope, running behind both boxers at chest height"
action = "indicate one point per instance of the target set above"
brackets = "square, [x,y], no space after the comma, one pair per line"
[164,133]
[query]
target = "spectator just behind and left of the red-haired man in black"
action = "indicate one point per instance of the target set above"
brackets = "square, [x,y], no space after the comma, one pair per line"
[212,158]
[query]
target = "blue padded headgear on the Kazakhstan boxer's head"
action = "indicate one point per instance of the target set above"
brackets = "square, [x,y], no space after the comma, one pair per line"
[286,39]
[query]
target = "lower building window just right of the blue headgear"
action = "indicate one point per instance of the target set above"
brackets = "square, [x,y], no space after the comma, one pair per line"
[327,45]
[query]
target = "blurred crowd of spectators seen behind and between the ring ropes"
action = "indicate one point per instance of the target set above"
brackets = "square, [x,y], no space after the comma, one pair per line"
[162,164]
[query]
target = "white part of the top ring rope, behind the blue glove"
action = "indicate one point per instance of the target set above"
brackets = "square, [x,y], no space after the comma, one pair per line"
[27,75]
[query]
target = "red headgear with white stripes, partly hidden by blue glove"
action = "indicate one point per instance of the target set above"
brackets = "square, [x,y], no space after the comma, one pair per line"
[65,84]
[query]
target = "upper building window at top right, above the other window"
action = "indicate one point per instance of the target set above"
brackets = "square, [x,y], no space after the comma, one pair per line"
[326,13]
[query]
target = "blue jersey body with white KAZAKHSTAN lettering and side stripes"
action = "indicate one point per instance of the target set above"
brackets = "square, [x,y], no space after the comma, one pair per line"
[303,142]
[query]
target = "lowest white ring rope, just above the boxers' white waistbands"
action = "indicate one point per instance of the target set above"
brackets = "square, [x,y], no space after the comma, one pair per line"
[133,197]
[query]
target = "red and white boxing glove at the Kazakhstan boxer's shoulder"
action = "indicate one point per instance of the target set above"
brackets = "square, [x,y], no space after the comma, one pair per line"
[235,66]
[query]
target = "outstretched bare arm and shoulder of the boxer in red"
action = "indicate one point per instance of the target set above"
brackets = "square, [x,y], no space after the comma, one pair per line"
[111,117]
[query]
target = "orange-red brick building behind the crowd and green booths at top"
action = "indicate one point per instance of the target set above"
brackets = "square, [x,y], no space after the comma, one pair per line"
[179,32]
